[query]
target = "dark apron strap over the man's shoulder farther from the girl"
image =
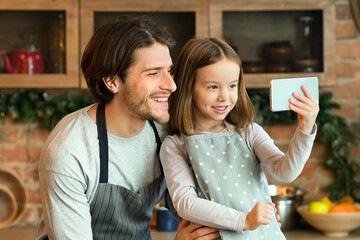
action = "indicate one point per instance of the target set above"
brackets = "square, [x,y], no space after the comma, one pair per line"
[103,143]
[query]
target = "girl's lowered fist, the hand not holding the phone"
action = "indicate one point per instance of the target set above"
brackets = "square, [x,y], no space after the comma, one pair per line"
[261,214]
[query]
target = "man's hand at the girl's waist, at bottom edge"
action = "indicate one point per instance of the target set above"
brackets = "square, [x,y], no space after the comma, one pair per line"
[190,231]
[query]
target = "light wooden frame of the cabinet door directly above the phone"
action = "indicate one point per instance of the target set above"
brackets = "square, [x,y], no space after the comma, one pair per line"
[326,77]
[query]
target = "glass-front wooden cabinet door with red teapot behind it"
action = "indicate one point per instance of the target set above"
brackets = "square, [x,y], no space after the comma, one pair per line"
[40,38]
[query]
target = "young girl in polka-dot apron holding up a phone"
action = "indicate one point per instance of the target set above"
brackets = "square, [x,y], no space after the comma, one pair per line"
[214,157]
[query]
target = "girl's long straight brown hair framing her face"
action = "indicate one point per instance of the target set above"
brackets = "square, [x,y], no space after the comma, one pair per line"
[198,53]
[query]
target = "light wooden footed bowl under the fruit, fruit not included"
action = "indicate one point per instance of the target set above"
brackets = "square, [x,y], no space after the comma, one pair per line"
[331,224]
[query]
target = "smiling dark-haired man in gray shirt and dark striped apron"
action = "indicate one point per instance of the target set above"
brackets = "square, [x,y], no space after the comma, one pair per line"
[100,175]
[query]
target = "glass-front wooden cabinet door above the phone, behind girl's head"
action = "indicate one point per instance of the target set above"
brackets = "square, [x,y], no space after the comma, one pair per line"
[252,25]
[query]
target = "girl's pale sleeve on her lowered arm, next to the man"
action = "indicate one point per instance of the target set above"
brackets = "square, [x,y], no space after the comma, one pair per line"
[181,185]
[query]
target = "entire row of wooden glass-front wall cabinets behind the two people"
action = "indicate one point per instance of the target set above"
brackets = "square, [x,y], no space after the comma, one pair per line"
[238,21]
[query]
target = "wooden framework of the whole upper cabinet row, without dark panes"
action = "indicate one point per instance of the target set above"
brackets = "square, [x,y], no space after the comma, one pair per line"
[83,16]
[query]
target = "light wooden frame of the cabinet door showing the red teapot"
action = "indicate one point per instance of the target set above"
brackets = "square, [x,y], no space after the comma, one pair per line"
[69,79]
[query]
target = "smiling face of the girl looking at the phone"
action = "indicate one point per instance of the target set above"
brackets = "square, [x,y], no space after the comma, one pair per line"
[215,94]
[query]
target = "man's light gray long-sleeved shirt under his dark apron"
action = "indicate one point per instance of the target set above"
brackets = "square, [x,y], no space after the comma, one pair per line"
[69,171]
